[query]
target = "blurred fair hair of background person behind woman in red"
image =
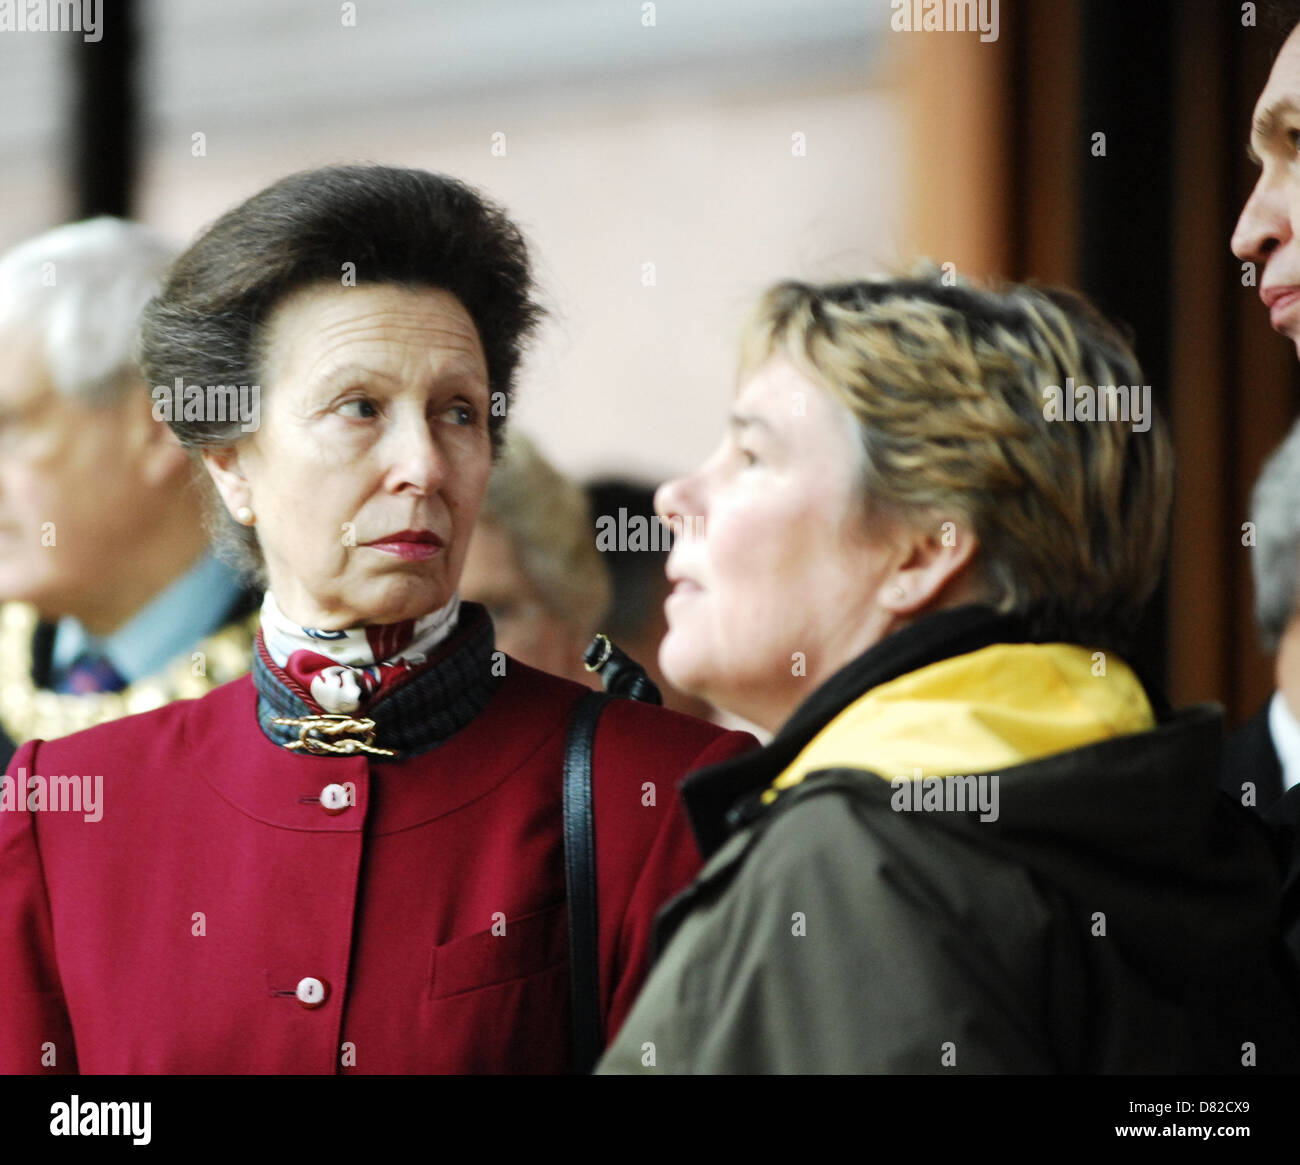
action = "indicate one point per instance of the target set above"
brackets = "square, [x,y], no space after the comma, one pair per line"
[548,519]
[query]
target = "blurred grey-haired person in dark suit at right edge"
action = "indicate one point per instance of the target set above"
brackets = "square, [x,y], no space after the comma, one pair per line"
[1263,757]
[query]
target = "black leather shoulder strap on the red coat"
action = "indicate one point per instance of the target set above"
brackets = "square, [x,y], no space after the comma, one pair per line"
[580,878]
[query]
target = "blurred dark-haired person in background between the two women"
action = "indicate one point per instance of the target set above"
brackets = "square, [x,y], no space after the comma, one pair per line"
[636,621]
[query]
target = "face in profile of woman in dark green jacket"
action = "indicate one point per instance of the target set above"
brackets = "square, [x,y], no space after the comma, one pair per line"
[778,587]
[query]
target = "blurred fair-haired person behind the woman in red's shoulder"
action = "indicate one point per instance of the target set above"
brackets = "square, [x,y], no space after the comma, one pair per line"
[534,566]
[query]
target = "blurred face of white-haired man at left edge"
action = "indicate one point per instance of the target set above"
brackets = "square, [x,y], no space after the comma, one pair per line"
[72,487]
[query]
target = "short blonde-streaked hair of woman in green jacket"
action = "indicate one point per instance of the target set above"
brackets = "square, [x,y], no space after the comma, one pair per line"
[947,384]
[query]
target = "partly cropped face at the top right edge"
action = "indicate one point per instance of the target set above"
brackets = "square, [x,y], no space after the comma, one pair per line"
[1266,233]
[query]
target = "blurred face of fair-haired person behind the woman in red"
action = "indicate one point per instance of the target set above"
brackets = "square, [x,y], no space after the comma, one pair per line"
[525,626]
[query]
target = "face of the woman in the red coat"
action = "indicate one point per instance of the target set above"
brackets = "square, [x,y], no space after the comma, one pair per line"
[374,454]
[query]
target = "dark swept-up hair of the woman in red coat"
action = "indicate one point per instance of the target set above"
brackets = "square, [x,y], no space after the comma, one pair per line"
[396,226]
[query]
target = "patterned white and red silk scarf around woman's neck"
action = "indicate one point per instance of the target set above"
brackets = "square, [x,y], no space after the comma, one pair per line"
[345,670]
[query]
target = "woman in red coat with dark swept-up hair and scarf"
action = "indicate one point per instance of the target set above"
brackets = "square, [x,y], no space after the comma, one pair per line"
[353,859]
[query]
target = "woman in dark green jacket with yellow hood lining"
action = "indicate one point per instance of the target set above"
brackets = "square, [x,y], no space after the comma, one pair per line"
[977,843]
